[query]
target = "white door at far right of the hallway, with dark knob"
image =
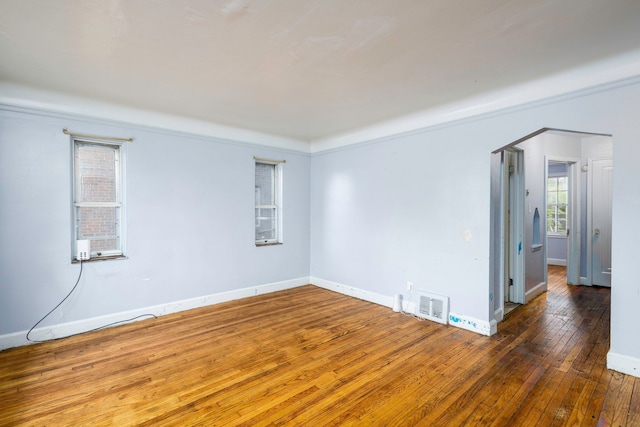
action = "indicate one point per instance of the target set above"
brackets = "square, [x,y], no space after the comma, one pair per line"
[601,184]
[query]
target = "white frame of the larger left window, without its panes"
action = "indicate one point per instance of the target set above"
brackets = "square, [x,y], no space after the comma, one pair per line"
[120,152]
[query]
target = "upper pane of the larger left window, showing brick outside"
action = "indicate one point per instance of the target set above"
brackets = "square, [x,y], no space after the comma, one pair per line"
[95,173]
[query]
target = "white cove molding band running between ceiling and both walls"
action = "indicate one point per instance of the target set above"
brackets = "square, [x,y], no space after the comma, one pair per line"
[602,75]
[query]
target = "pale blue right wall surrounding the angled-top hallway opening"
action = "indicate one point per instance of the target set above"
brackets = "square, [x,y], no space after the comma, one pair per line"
[403,208]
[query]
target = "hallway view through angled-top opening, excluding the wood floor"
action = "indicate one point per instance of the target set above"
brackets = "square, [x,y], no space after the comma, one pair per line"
[550,204]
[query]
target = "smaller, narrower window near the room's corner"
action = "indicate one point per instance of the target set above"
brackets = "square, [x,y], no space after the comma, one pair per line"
[267,196]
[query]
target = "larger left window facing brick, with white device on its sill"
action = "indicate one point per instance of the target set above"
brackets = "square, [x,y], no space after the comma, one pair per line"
[98,207]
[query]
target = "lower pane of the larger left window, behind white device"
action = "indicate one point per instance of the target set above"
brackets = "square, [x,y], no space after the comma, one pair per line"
[100,225]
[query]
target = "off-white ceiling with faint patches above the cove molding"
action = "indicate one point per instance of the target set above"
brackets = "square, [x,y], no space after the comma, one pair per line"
[302,69]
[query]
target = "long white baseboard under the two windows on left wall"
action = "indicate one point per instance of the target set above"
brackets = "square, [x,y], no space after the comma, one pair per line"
[71,328]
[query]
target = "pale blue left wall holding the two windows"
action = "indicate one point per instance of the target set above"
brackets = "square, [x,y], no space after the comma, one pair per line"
[190,219]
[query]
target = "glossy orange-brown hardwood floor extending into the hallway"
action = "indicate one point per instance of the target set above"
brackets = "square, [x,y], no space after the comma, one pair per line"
[308,356]
